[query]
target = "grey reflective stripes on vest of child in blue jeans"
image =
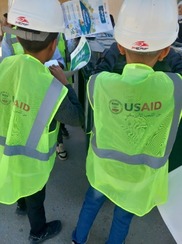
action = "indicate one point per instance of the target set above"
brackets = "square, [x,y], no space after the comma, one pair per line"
[153,162]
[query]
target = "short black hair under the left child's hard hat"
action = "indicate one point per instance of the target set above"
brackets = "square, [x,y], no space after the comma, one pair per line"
[36,46]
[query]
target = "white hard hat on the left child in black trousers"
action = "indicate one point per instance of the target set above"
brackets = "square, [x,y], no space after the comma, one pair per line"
[39,15]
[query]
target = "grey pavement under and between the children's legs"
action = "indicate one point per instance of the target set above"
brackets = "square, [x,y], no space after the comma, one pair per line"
[65,192]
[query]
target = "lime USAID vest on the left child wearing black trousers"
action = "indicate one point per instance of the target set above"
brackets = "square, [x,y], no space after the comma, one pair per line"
[29,99]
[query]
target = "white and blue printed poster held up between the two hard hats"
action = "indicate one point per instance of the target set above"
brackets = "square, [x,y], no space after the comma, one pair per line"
[86,17]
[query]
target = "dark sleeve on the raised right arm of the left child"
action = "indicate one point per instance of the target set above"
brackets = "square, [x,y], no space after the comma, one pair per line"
[70,111]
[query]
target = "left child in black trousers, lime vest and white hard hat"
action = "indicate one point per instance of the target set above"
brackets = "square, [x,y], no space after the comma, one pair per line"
[34,99]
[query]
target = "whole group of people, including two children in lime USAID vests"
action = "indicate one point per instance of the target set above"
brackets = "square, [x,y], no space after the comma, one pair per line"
[134,95]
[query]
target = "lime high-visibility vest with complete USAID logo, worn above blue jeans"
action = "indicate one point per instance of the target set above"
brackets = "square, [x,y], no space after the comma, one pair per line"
[136,116]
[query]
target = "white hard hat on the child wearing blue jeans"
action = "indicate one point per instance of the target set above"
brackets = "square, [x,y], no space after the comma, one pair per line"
[147,26]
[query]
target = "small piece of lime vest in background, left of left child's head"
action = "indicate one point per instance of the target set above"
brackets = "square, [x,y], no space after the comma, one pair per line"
[14,45]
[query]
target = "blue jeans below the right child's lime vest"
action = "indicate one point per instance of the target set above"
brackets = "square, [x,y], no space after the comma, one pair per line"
[91,206]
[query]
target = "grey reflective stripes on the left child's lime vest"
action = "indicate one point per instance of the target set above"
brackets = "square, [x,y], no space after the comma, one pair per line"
[43,115]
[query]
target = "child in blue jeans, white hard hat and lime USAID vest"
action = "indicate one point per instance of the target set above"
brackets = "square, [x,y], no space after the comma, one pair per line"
[135,123]
